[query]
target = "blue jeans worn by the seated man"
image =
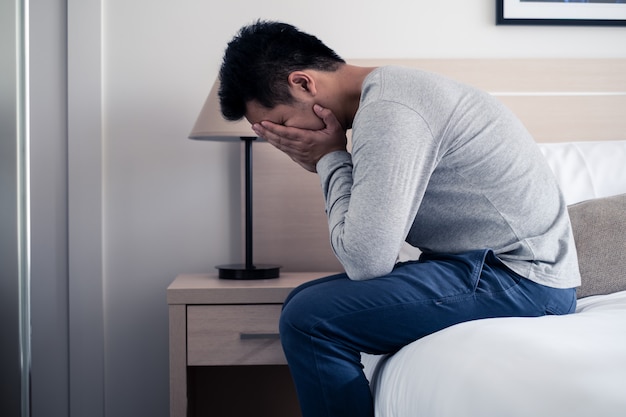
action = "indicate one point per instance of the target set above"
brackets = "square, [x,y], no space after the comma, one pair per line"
[326,323]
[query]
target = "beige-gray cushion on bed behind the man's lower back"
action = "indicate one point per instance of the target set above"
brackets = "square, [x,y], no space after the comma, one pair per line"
[599,227]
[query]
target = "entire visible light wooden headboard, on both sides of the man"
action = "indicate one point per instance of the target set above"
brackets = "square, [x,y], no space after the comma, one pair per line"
[559,100]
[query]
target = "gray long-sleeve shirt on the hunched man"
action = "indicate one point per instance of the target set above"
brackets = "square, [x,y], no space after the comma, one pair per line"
[449,169]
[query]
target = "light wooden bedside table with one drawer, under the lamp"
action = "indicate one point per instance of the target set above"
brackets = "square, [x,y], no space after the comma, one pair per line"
[215,323]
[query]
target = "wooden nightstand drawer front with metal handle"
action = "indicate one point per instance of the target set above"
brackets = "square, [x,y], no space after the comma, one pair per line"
[234,335]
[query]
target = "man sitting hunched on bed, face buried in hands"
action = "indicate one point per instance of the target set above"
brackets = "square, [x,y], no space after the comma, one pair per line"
[433,162]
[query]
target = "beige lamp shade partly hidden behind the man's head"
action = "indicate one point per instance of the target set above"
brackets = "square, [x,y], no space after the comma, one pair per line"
[211,125]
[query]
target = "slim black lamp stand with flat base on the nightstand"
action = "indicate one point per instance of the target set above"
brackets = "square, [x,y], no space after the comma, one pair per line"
[248,270]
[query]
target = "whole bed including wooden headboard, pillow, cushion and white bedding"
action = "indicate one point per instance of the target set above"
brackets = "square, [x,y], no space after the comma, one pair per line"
[571,365]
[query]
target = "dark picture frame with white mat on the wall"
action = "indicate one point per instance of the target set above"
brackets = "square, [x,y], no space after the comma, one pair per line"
[561,12]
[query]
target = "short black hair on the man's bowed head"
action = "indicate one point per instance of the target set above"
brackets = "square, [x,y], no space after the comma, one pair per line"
[258,61]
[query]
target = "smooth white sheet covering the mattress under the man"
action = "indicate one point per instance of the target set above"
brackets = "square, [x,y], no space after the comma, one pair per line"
[571,366]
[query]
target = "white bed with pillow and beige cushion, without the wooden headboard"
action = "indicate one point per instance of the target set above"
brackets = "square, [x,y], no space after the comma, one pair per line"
[548,366]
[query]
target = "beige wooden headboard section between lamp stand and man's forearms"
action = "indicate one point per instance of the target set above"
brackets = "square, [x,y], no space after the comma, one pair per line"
[290,227]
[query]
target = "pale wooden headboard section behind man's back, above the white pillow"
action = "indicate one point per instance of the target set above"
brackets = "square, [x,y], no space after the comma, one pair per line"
[557,99]
